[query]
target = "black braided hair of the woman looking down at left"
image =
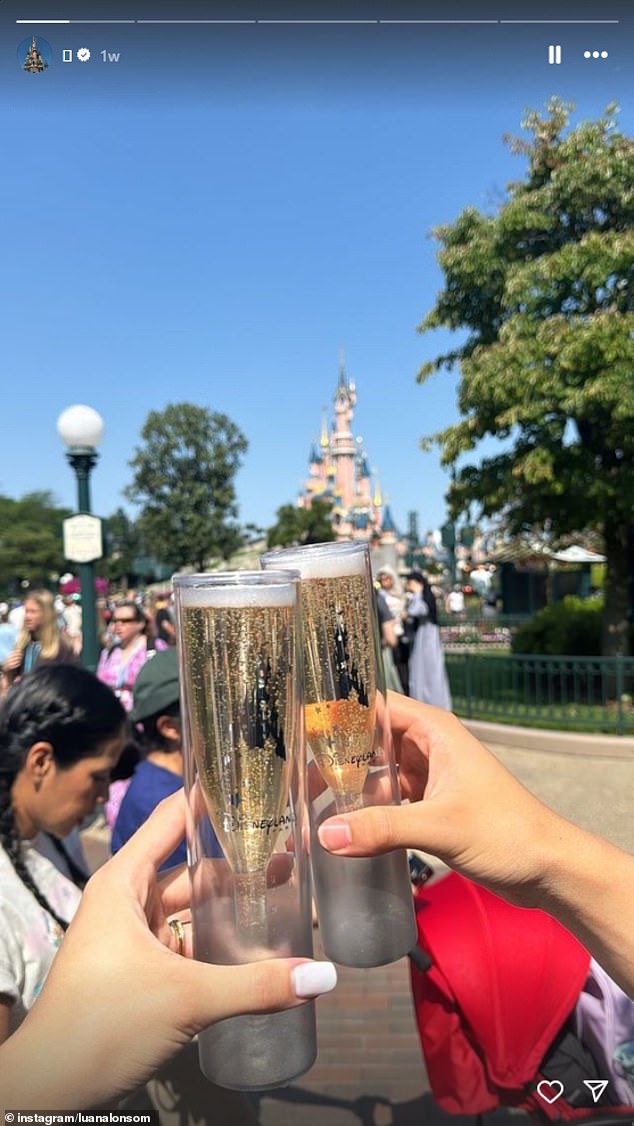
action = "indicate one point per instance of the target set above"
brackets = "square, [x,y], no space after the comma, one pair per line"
[59,704]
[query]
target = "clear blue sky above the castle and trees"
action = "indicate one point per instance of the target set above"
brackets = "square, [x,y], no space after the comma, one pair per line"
[167,243]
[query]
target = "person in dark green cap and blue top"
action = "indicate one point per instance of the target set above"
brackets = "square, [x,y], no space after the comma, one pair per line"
[156,713]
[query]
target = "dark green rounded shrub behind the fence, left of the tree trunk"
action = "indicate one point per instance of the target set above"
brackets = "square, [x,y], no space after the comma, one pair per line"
[568,629]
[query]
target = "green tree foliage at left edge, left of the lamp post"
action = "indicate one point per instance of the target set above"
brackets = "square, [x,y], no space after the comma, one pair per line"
[31,541]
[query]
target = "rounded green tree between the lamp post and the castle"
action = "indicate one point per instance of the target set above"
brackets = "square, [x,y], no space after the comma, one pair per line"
[184,484]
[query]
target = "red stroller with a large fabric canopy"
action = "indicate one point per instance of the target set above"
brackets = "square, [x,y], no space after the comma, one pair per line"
[495,988]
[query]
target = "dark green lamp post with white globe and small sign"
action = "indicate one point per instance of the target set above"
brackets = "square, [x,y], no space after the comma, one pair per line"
[82,428]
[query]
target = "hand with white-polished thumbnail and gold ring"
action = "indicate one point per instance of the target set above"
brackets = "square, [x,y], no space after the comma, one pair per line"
[120,1000]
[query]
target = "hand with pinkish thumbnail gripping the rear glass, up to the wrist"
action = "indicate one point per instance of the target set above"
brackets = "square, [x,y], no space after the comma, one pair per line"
[463,808]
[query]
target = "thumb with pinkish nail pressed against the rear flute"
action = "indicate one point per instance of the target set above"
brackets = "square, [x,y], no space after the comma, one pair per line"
[381,828]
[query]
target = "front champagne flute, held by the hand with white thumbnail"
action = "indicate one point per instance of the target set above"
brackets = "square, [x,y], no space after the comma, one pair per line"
[242,708]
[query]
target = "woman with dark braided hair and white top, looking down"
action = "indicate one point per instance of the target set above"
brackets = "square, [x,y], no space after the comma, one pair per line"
[61,735]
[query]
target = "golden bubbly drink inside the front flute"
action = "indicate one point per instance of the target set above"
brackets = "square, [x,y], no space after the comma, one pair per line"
[242,707]
